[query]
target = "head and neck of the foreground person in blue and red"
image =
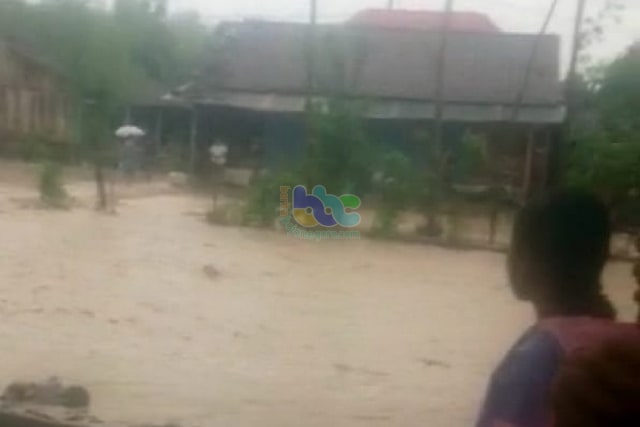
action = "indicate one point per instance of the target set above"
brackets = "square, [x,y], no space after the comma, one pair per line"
[560,245]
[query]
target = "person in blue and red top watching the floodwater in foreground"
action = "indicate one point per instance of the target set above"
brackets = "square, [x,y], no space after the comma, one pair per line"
[560,246]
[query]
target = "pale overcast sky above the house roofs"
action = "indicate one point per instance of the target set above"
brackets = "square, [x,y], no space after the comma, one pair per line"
[510,15]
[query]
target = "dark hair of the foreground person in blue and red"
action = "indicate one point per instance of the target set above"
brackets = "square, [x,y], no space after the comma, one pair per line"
[566,235]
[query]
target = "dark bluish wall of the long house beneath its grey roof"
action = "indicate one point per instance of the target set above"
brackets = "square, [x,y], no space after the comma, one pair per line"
[282,138]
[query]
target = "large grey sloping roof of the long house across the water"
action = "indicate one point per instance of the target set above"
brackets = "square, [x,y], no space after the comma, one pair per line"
[381,63]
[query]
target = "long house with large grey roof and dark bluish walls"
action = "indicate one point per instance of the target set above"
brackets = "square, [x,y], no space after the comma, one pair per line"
[262,73]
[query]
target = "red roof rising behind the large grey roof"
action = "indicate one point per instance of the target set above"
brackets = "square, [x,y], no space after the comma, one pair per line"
[425,20]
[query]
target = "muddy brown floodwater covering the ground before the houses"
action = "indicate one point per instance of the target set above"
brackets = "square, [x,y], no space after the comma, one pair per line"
[166,318]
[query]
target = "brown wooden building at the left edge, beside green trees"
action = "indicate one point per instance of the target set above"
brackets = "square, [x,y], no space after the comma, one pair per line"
[33,100]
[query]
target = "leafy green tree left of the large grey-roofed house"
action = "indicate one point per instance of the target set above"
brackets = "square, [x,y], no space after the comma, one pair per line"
[107,57]
